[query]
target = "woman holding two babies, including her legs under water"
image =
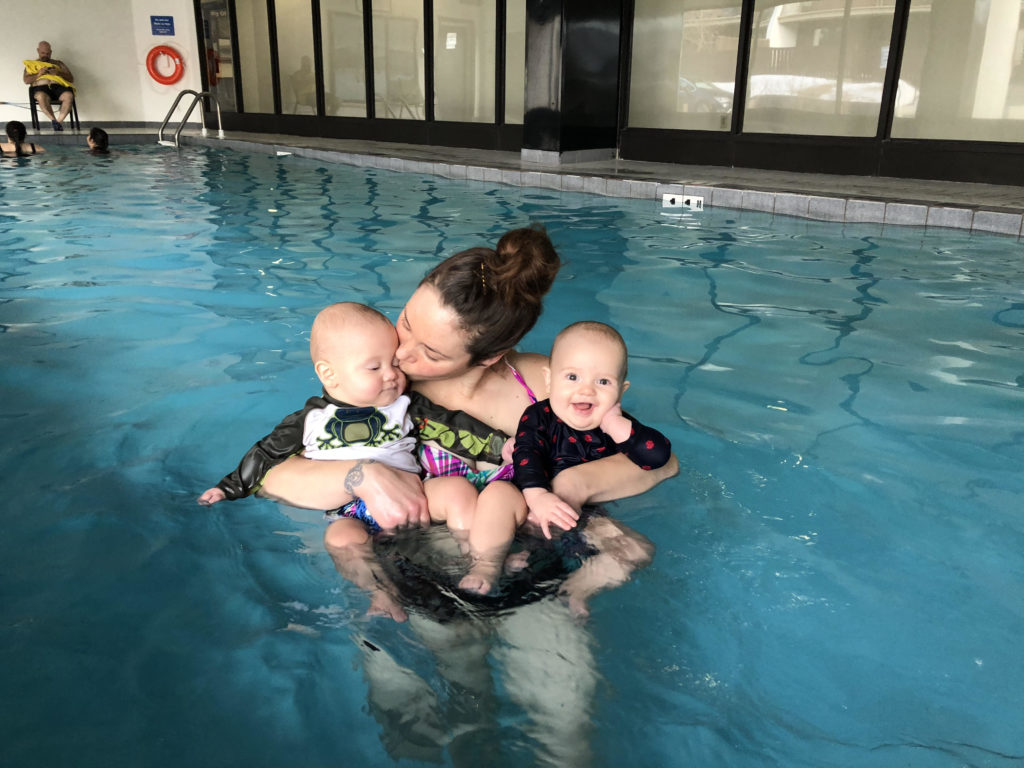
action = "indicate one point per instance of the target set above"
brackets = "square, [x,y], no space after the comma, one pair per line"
[457,337]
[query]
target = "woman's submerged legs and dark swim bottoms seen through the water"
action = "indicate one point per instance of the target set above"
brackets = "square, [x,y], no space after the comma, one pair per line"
[523,642]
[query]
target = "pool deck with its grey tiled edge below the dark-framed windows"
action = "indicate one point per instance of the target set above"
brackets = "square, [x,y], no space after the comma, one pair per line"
[988,208]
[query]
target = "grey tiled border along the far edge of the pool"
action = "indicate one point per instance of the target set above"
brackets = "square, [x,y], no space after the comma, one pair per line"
[822,208]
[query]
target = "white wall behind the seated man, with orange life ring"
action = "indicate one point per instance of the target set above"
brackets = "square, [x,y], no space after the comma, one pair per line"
[106,46]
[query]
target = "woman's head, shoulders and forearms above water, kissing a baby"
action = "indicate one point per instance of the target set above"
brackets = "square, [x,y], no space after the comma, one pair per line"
[457,347]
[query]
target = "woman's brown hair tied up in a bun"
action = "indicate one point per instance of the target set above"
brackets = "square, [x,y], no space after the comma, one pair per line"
[498,294]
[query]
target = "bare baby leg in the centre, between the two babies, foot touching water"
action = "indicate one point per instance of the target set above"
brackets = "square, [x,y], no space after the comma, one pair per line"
[500,510]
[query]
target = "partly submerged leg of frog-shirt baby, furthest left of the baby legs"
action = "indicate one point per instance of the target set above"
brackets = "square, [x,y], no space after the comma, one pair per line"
[348,541]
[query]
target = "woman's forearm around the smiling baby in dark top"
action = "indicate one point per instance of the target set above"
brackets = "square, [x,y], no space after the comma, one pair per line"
[608,480]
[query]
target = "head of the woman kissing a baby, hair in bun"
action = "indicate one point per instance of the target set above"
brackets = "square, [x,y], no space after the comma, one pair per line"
[477,306]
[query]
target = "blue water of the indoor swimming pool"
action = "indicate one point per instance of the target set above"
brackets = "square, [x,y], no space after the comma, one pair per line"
[839,564]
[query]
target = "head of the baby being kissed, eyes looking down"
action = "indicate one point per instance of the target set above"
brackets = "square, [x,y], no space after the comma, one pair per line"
[353,349]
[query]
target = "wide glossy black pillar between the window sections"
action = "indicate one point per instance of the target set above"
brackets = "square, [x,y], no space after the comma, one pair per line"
[572,98]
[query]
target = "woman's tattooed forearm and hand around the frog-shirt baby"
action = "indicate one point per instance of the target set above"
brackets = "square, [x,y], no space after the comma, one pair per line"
[394,498]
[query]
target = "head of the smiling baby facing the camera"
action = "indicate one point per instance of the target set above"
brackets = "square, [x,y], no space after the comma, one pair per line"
[587,374]
